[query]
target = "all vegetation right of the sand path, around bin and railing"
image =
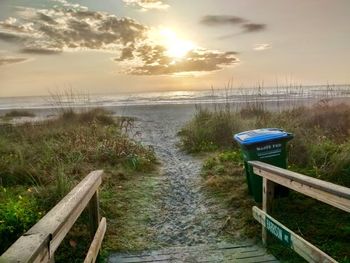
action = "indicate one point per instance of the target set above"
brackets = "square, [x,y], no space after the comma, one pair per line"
[320,149]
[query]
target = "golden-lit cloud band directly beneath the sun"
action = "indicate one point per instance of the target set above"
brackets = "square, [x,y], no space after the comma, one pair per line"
[156,62]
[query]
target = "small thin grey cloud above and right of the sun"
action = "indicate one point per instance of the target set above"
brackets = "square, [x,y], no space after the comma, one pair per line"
[221,20]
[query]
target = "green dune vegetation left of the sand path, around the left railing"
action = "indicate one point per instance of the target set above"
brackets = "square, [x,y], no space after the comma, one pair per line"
[40,163]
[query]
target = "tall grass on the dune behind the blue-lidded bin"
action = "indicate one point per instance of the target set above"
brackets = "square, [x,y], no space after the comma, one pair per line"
[321,132]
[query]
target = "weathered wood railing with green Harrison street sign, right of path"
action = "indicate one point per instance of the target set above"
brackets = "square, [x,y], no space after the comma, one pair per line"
[332,194]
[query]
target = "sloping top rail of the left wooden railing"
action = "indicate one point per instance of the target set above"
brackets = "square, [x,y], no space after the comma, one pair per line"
[49,232]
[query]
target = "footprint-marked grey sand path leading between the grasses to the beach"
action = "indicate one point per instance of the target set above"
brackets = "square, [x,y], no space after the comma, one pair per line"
[185,216]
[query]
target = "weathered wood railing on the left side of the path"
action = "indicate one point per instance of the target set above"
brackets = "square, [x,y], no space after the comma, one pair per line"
[41,241]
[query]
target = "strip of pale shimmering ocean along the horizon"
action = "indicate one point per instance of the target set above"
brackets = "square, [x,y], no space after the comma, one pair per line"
[242,95]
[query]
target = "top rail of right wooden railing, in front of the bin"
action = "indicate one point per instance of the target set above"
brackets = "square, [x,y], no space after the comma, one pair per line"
[332,194]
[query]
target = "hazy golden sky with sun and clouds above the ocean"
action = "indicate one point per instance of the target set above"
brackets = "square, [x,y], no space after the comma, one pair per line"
[120,46]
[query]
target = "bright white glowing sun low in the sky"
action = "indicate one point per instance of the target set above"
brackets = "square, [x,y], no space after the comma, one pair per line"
[176,47]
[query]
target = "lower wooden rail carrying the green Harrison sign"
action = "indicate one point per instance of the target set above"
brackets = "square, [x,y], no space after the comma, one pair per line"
[305,249]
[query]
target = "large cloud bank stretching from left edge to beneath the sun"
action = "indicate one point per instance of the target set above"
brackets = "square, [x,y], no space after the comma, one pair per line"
[52,31]
